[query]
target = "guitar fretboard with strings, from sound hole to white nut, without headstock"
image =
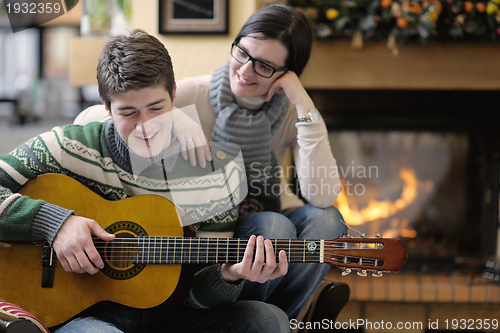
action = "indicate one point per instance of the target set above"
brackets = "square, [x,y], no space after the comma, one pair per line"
[185,250]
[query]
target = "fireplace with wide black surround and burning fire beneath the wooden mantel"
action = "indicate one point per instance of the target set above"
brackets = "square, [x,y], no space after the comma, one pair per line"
[420,165]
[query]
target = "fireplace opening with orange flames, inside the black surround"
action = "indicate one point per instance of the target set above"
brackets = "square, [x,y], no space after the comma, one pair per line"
[408,185]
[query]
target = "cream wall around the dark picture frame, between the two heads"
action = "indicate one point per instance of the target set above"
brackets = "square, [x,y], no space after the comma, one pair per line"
[197,54]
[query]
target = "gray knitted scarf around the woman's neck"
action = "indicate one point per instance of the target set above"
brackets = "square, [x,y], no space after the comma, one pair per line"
[252,133]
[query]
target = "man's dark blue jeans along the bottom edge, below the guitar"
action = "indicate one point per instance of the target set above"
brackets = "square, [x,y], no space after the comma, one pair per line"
[237,317]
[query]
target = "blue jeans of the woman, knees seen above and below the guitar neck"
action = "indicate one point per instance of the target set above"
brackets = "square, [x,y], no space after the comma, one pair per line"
[291,292]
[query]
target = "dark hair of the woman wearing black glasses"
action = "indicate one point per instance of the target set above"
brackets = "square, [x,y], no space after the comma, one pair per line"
[287,25]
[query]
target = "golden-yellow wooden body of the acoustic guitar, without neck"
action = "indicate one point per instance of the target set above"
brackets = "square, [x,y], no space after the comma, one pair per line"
[144,287]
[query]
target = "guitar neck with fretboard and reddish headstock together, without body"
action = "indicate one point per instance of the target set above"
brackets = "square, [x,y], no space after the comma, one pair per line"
[350,253]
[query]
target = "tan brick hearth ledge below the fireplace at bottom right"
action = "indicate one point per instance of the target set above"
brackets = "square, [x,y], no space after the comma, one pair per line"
[420,303]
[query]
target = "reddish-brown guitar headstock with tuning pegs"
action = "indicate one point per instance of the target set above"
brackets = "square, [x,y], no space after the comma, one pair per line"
[366,254]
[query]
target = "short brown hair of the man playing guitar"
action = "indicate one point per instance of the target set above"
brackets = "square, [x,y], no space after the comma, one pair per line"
[133,62]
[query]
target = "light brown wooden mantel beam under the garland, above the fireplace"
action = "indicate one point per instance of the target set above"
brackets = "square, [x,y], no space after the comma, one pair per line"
[450,66]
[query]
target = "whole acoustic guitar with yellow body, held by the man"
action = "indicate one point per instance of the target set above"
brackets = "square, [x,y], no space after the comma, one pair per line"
[144,263]
